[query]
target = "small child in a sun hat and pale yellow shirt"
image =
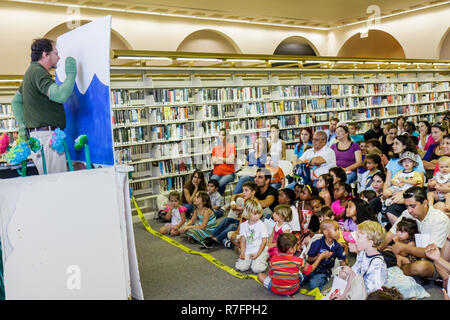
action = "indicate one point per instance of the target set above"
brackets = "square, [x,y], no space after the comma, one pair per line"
[407,177]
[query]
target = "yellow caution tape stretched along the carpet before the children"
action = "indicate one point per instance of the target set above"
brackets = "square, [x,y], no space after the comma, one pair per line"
[316,292]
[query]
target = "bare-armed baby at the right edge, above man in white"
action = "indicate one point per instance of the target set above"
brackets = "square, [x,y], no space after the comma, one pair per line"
[440,179]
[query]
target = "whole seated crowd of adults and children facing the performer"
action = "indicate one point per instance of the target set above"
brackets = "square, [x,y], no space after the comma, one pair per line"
[382,197]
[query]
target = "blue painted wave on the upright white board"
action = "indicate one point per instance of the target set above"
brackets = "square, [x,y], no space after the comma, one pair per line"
[90,114]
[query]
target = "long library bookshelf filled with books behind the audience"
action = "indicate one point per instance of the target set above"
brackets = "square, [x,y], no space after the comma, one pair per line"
[167,107]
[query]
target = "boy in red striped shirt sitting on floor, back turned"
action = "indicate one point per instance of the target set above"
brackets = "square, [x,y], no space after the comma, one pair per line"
[286,271]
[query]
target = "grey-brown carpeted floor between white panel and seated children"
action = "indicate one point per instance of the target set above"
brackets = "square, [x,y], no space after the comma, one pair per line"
[168,273]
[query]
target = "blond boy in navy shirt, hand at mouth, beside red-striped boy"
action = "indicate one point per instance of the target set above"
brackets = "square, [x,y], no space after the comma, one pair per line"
[327,244]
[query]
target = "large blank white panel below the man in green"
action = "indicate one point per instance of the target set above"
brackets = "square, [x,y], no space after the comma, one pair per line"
[69,236]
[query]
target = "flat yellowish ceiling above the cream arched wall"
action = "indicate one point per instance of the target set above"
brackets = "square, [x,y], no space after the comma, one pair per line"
[316,13]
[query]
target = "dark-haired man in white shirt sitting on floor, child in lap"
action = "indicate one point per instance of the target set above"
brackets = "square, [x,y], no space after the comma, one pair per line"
[430,221]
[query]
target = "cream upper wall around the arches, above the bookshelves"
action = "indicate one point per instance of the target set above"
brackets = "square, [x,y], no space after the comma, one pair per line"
[420,34]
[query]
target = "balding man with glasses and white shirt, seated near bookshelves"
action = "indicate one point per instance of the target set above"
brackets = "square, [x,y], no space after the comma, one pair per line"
[320,157]
